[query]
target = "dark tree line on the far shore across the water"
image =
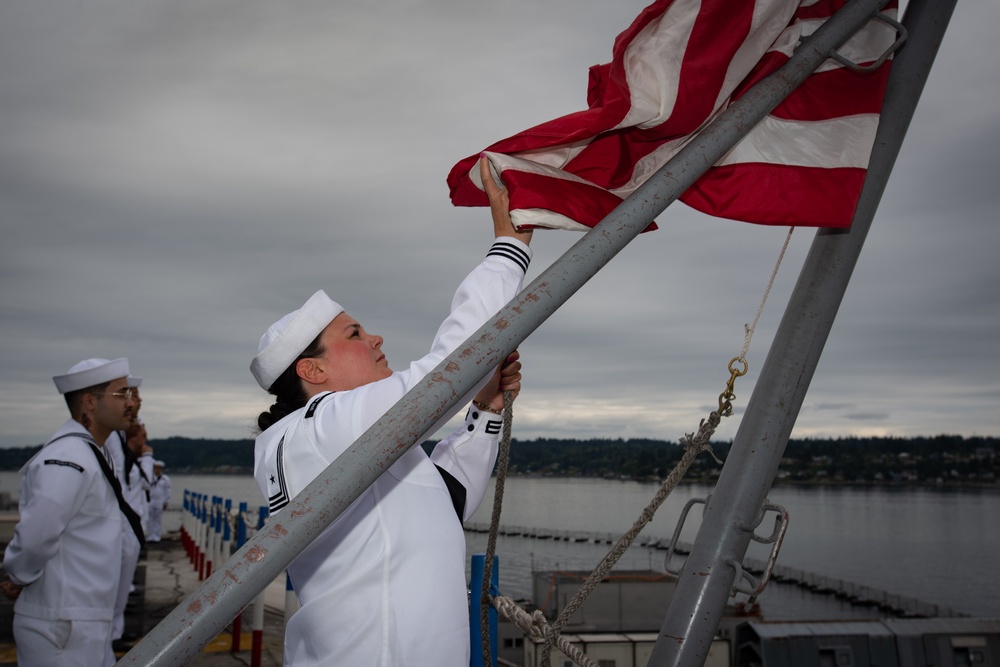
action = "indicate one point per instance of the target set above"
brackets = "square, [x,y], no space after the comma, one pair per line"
[942,459]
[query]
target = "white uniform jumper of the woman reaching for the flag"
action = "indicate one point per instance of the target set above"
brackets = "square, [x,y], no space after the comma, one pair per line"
[385,583]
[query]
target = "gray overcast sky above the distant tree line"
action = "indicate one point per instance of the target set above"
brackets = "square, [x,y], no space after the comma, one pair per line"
[176,175]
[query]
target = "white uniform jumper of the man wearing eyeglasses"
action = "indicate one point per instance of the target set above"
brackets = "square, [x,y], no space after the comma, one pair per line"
[66,552]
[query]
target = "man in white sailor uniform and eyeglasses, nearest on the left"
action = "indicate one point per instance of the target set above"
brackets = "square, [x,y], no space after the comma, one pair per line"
[64,560]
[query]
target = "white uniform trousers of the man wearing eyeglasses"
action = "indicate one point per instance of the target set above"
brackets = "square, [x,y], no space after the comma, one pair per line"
[62,643]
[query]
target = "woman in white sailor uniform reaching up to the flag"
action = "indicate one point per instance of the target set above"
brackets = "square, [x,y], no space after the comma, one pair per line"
[385,583]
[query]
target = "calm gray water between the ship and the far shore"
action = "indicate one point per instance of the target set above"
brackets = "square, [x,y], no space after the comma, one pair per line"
[938,546]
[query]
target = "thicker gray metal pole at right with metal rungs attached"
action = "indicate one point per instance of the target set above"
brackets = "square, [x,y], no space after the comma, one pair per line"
[733,510]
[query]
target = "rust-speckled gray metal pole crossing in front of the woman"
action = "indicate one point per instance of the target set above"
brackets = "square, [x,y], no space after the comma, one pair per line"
[179,637]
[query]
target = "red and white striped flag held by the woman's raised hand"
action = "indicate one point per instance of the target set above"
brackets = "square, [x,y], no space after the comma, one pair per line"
[679,65]
